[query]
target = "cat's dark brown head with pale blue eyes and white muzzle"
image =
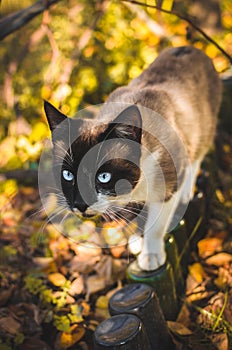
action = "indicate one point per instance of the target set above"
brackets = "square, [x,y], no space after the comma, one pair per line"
[96,166]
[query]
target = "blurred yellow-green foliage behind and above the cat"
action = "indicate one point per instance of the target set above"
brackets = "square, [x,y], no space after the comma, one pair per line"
[76,53]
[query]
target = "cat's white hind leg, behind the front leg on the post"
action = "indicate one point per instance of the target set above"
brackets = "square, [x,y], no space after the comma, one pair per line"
[192,172]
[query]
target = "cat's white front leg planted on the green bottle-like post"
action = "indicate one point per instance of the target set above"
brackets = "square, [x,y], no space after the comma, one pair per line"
[159,217]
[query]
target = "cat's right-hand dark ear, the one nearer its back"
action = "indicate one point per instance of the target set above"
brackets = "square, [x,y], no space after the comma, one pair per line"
[128,124]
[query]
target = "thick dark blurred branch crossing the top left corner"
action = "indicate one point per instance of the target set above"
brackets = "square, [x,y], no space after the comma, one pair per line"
[14,21]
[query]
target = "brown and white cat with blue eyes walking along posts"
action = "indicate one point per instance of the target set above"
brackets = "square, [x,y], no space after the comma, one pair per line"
[144,147]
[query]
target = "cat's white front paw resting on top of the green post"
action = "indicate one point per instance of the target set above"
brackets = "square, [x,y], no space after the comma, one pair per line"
[150,262]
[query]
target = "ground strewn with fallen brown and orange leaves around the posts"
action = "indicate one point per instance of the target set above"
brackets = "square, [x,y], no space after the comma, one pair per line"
[54,292]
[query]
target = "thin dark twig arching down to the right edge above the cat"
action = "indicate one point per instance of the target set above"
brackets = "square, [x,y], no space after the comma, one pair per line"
[187,19]
